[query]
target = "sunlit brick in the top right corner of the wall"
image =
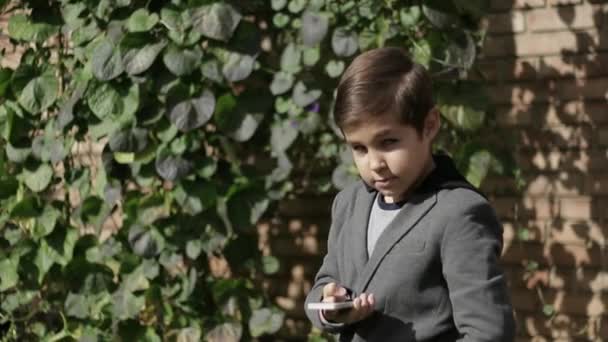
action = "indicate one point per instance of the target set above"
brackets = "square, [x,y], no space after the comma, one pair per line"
[565,18]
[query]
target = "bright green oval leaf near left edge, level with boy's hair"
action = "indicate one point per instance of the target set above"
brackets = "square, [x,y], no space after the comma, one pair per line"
[39,93]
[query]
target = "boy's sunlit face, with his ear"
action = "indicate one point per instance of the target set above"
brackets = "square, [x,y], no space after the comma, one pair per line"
[392,156]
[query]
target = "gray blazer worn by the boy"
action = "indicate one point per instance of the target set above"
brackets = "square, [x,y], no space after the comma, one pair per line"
[434,271]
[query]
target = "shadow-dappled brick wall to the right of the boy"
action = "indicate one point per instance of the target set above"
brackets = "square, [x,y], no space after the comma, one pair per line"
[547,67]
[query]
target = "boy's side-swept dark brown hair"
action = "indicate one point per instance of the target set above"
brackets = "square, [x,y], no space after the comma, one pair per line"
[381,81]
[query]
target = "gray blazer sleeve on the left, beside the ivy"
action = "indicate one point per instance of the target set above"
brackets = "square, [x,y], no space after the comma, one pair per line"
[327,273]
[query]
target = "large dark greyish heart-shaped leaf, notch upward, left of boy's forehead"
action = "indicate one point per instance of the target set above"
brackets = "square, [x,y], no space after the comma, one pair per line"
[190,113]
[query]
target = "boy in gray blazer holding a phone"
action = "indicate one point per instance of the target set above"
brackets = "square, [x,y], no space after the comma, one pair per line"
[413,244]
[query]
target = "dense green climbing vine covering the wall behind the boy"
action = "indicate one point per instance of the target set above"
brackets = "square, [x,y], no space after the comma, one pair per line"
[201,111]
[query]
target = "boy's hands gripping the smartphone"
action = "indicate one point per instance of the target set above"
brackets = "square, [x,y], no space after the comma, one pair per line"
[363,305]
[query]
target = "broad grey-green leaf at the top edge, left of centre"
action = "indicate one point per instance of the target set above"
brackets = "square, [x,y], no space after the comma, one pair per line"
[217,21]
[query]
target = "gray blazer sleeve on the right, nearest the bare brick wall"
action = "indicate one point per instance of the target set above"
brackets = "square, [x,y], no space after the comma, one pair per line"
[471,249]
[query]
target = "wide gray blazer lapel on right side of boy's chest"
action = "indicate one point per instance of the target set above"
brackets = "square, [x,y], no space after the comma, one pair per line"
[414,210]
